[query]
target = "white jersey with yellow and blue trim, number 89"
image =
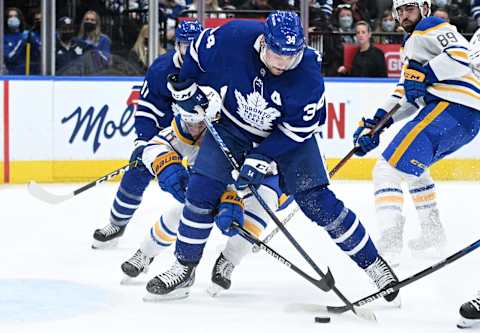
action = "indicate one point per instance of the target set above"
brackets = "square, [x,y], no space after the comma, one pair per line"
[438,43]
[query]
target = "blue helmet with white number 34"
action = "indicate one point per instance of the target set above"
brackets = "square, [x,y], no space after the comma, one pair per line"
[284,33]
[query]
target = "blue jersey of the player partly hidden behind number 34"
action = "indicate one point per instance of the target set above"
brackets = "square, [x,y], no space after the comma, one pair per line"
[154,110]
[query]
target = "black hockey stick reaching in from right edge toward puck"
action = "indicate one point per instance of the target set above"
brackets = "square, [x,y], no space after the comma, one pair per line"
[408,280]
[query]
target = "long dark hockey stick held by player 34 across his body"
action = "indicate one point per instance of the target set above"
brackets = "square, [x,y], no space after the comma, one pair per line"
[327,281]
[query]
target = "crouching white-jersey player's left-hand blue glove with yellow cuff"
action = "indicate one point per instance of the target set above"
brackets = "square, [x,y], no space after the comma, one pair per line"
[172,176]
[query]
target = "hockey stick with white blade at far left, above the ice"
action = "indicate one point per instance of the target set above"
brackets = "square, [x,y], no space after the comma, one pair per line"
[42,194]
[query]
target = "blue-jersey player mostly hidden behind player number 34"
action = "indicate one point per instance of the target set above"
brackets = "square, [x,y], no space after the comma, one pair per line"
[154,112]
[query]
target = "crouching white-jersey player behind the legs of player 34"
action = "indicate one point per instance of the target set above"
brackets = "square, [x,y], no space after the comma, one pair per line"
[162,156]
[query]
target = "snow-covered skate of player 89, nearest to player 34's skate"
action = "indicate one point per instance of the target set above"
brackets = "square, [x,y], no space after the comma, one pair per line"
[390,243]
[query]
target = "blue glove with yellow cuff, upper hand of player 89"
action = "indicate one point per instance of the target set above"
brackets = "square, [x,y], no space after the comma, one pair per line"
[417,78]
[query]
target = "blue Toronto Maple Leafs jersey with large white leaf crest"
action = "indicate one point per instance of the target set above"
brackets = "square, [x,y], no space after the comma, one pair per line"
[279,112]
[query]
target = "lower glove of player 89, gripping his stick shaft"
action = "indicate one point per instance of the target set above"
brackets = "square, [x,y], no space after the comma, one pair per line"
[362,137]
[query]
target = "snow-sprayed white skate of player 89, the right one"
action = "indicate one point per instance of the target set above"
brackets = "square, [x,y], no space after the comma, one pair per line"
[432,241]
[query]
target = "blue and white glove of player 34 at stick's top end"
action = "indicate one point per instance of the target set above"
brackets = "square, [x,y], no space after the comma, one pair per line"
[187,94]
